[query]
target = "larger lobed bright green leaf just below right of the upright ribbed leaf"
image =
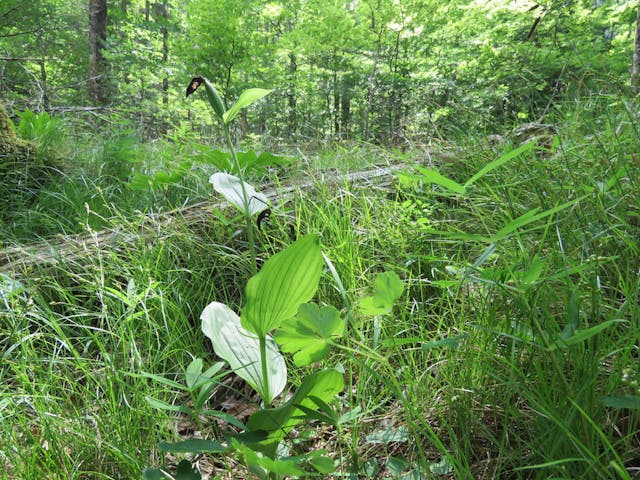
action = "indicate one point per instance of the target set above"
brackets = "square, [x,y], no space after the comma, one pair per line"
[308,335]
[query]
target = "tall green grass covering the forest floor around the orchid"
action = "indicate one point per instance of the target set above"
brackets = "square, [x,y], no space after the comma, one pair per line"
[470,362]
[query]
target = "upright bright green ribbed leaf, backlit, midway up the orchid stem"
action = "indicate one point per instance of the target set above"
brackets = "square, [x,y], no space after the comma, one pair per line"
[286,280]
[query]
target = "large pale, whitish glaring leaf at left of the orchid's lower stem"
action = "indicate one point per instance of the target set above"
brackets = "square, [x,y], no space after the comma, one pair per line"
[241,349]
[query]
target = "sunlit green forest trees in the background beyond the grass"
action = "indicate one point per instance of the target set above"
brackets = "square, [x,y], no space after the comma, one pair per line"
[388,72]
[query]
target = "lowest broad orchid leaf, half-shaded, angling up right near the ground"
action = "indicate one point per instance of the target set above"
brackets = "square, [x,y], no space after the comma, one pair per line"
[279,421]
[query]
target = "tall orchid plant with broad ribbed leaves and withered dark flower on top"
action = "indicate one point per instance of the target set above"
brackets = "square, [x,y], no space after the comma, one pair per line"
[277,316]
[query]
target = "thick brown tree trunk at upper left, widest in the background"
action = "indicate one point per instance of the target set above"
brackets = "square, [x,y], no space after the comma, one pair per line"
[97,38]
